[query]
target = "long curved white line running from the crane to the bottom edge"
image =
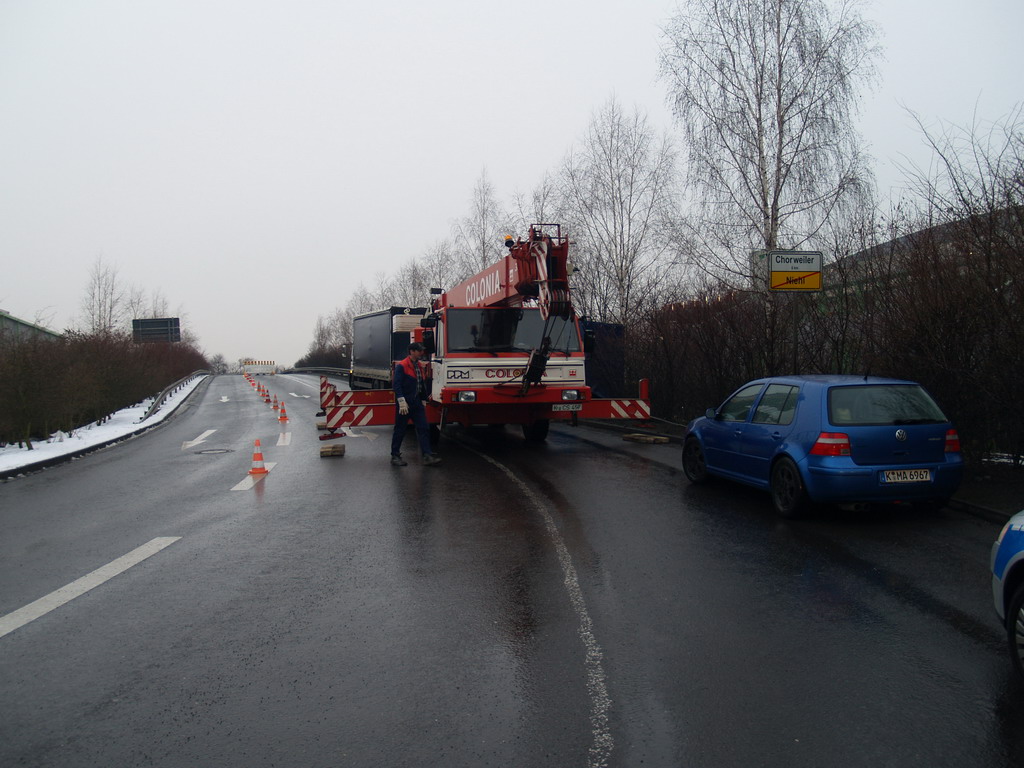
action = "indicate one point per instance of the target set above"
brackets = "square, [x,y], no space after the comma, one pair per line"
[601,702]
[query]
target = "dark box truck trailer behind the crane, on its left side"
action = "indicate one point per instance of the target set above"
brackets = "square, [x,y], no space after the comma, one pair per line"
[379,339]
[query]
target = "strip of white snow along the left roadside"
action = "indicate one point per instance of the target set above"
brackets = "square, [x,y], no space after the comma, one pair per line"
[120,425]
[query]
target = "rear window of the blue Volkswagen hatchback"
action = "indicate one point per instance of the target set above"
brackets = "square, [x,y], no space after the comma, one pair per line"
[883,405]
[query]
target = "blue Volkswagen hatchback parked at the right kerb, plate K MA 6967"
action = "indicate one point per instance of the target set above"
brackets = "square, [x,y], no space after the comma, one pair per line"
[834,440]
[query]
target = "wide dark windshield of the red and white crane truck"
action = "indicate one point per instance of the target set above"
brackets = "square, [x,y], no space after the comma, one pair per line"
[507,330]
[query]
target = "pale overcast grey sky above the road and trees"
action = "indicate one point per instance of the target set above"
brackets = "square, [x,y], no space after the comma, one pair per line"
[255,161]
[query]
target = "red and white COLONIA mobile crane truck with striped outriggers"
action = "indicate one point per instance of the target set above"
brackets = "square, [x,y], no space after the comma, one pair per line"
[504,349]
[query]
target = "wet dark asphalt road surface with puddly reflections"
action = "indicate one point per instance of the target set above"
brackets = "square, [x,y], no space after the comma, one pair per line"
[569,605]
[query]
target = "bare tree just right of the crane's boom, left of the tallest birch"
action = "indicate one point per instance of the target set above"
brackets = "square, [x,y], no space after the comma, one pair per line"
[619,196]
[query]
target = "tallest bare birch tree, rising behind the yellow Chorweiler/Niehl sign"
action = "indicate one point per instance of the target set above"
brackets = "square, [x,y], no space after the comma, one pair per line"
[765,92]
